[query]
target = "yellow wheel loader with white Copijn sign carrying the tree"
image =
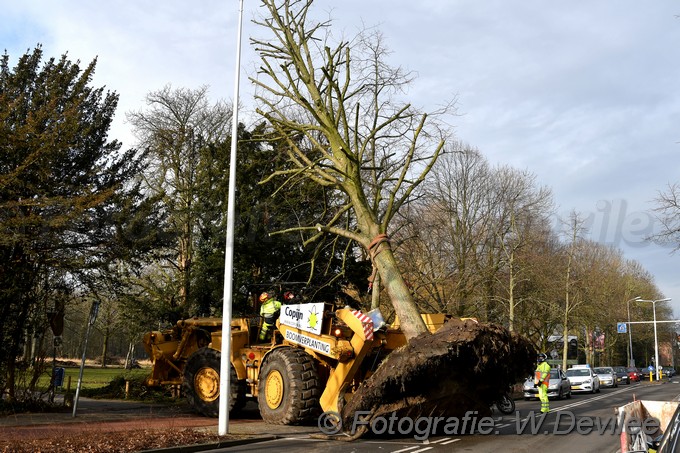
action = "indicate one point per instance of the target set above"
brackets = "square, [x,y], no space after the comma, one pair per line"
[315,359]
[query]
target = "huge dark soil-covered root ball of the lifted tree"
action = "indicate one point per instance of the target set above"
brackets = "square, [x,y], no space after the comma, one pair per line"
[464,366]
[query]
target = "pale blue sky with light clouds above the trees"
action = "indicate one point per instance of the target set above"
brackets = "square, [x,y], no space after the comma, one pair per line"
[583,94]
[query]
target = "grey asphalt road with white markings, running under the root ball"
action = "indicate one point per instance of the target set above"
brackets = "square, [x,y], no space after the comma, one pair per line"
[584,423]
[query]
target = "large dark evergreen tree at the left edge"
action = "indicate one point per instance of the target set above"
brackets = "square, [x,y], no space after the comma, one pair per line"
[68,199]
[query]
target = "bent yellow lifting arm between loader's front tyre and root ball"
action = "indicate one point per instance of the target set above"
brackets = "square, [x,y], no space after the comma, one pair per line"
[344,372]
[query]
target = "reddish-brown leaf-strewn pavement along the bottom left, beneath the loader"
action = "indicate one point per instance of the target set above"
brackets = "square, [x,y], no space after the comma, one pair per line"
[116,415]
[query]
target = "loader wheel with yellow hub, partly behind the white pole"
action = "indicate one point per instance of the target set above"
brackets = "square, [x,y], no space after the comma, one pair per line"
[201,383]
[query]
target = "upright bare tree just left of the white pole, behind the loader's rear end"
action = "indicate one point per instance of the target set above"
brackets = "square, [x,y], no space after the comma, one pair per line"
[176,128]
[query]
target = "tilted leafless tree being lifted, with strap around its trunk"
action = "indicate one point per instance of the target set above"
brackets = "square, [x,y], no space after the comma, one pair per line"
[336,108]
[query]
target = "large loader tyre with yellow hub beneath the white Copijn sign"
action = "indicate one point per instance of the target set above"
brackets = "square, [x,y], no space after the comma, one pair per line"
[288,387]
